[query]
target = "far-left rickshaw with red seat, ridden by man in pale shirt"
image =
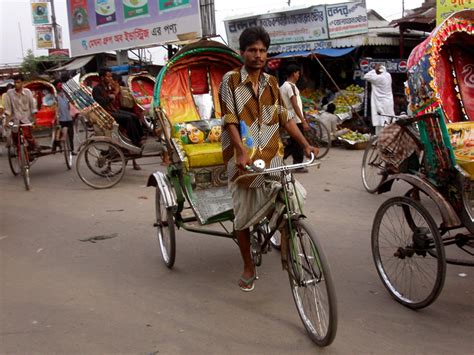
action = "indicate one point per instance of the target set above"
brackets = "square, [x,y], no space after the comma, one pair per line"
[50,138]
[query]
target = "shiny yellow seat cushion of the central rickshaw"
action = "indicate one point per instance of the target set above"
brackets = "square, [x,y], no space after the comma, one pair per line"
[204,154]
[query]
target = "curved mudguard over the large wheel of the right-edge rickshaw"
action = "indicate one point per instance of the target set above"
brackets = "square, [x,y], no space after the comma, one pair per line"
[449,215]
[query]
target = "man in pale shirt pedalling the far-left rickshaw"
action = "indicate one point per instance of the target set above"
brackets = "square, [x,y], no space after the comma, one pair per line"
[20,107]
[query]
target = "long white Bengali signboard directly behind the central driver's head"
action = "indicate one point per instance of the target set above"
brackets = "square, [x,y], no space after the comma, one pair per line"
[303,25]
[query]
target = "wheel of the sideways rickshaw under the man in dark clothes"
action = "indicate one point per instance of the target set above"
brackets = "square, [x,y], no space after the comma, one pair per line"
[100,165]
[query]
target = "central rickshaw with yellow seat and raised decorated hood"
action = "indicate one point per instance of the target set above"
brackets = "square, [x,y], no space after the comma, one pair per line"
[186,102]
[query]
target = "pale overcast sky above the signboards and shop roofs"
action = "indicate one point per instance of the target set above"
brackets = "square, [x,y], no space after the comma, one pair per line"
[15,17]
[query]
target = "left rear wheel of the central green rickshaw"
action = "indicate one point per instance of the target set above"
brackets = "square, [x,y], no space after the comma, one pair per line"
[166,231]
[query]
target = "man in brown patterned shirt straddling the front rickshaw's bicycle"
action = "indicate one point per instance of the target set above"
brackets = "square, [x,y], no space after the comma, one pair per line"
[252,113]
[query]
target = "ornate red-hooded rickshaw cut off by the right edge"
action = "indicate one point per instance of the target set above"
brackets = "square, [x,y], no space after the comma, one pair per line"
[410,232]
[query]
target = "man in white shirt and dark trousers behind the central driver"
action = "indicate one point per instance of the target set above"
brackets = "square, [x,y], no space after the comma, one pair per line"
[292,100]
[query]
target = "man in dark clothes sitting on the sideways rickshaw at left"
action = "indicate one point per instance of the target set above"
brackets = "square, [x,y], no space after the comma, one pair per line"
[106,98]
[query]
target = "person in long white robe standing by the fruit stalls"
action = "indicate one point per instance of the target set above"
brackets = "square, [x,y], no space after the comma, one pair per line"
[381,99]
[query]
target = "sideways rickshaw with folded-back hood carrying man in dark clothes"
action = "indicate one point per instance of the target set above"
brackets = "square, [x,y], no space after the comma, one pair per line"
[103,157]
